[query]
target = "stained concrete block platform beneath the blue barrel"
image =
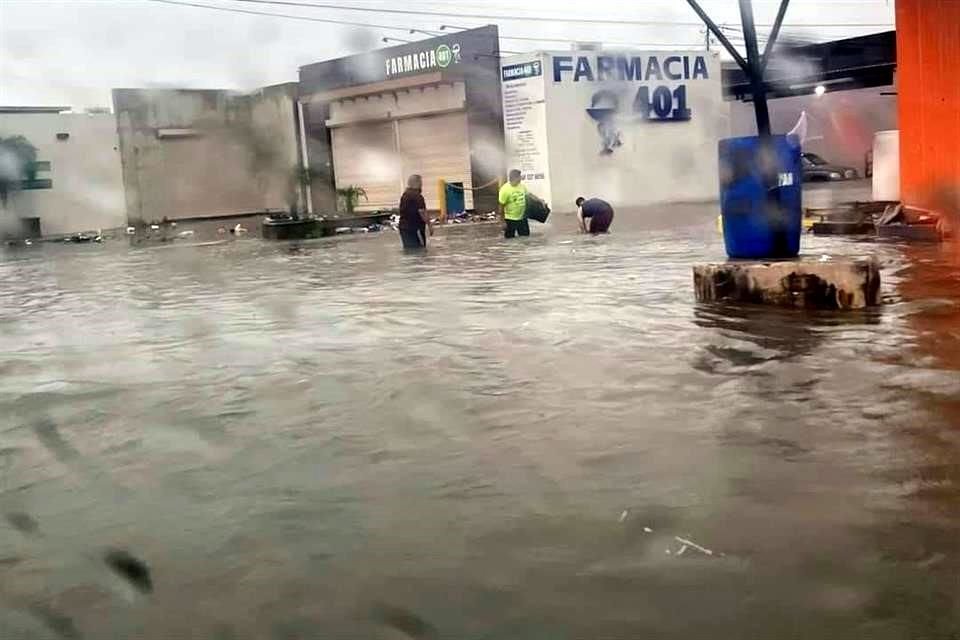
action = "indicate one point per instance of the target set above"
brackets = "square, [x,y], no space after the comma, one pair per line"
[804,283]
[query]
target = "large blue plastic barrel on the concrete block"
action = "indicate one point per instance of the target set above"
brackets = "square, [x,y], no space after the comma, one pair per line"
[761,197]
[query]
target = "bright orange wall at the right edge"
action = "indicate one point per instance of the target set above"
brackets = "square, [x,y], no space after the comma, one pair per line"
[928,89]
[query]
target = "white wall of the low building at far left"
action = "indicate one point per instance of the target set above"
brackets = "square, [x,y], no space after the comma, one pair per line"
[87,190]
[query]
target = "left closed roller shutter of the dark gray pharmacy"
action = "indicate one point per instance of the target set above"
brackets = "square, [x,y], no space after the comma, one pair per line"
[365,155]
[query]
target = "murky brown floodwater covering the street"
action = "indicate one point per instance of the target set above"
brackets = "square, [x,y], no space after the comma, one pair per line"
[495,440]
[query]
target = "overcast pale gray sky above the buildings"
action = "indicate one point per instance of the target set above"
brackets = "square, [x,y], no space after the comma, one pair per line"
[72,52]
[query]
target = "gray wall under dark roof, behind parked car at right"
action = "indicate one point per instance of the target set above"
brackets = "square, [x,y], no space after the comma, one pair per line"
[840,127]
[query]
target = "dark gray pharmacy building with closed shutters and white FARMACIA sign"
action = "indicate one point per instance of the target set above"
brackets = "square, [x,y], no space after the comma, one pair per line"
[431,107]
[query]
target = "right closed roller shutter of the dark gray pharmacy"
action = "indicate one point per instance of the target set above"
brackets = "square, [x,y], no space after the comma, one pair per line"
[437,147]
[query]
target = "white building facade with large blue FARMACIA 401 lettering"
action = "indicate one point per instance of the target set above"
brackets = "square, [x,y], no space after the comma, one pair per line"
[633,128]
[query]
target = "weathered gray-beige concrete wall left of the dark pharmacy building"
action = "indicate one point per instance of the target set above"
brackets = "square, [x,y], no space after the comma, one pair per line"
[229,153]
